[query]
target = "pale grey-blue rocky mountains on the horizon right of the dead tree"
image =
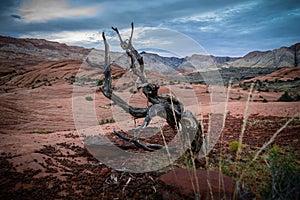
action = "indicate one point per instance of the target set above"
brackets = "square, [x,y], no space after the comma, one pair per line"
[273,59]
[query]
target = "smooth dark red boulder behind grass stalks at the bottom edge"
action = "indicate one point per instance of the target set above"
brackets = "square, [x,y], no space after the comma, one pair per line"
[197,184]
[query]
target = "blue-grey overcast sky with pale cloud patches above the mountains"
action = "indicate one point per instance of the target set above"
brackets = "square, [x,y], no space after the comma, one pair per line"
[220,27]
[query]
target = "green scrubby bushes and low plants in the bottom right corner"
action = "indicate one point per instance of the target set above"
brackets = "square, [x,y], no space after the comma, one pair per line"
[275,174]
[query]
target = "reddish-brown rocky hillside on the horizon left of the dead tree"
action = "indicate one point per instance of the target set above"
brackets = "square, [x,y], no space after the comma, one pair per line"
[19,53]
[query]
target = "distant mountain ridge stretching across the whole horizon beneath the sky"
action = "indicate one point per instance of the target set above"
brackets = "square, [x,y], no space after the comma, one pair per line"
[25,52]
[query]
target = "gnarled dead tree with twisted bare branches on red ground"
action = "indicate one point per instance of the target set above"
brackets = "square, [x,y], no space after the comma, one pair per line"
[166,106]
